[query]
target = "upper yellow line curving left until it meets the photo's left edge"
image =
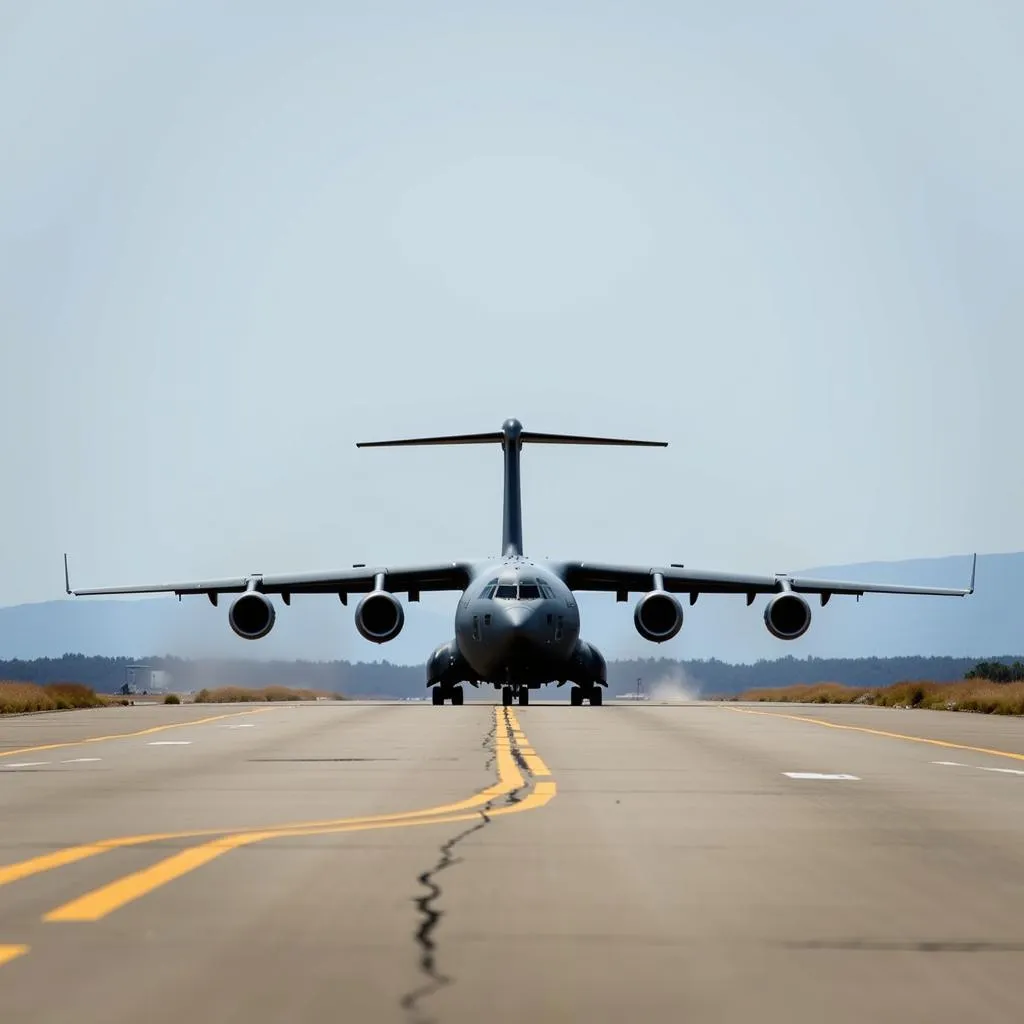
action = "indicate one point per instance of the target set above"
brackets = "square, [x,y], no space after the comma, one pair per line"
[509,779]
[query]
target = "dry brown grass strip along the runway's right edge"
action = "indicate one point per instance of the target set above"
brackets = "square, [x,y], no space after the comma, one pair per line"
[973,695]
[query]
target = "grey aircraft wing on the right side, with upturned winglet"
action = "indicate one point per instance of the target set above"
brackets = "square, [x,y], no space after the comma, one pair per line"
[678,579]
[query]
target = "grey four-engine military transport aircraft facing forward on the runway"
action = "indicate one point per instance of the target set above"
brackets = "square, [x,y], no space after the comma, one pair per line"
[518,624]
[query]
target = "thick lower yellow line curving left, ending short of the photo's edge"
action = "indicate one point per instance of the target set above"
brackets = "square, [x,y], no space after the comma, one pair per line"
[101,903]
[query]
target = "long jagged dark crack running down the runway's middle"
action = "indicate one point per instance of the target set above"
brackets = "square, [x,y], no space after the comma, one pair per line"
[431,914]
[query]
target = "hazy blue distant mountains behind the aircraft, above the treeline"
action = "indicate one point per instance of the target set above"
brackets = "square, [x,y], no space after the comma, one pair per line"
[322,629]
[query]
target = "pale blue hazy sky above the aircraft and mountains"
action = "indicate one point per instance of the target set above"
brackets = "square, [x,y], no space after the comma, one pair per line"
[238,238]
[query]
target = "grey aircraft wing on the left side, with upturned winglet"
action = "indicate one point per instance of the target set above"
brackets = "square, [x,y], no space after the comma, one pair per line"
[358,580]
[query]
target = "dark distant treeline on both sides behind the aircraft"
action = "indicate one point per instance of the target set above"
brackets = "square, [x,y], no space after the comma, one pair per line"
[381,679]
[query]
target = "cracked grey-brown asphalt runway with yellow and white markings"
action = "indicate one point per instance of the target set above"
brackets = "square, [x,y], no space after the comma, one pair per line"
[628,863]
